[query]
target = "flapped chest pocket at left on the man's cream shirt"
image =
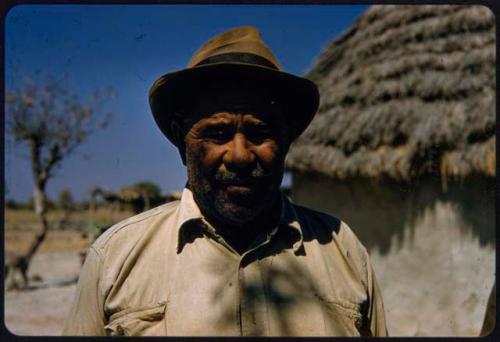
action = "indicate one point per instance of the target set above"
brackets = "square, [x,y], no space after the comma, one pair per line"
[148,321]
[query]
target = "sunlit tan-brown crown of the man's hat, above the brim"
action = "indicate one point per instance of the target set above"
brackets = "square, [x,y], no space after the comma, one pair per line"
[241,41]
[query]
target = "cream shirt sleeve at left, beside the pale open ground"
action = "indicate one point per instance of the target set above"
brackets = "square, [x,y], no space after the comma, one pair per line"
[86,316]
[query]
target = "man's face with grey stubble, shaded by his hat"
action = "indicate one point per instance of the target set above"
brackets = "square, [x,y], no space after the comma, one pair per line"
[235,152]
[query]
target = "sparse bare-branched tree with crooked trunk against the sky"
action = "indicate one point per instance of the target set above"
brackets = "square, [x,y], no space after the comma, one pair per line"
[51,121]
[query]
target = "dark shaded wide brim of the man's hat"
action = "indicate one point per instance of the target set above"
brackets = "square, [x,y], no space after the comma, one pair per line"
[299,96]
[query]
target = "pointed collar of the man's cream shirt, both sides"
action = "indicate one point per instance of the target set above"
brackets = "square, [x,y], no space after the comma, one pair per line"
[191,217]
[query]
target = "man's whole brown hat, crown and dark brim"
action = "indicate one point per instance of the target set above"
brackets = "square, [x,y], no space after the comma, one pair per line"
[238,53]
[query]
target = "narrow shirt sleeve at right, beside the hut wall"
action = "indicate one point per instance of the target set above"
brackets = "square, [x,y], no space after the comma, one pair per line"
[376,314]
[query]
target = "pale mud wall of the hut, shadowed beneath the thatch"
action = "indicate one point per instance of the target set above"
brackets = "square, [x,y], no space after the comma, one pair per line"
[433,251]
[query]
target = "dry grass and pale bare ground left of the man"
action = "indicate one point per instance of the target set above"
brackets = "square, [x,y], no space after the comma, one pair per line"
[42,308]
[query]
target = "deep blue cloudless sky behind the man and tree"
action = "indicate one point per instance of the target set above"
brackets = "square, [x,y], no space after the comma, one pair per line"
[128,47]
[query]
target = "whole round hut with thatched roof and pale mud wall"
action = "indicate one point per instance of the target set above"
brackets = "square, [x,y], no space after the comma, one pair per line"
[403,150]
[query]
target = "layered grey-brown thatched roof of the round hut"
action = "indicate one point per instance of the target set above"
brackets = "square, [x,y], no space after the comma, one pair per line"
[406,91]
